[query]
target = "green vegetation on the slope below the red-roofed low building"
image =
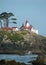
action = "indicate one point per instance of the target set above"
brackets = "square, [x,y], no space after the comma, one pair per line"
[10,35]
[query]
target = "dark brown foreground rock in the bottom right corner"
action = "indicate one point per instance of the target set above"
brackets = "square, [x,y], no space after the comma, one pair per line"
[41,60]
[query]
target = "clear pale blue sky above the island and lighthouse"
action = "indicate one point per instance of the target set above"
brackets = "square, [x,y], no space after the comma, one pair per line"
[32,10]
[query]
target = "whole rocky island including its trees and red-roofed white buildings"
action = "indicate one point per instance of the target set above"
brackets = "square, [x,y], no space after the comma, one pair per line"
[23,40]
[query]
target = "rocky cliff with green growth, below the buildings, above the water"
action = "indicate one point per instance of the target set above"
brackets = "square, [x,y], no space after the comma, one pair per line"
[21,42]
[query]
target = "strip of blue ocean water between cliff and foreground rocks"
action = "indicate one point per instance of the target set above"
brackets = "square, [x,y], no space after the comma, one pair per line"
[19,58]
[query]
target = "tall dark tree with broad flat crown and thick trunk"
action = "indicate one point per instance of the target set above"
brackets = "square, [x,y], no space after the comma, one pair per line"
[5,16]
